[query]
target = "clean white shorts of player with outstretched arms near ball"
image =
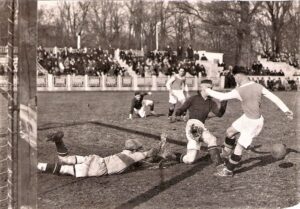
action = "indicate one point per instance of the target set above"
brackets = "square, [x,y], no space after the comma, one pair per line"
[249,128]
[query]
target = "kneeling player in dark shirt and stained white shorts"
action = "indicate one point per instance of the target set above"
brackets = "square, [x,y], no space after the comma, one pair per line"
[200,107]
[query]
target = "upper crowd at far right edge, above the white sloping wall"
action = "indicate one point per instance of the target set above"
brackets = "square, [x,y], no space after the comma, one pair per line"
[289,58]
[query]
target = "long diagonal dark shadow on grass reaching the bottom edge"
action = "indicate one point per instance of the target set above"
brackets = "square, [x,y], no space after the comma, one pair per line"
[164,185]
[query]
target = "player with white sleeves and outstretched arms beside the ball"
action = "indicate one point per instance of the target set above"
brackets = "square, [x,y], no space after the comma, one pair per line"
[250,124]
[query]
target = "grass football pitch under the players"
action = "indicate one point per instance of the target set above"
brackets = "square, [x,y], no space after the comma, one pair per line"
[96,123]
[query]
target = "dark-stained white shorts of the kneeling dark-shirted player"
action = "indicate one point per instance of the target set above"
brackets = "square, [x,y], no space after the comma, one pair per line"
[207,137]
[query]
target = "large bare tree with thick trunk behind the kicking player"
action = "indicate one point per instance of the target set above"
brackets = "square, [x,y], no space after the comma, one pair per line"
[234,15]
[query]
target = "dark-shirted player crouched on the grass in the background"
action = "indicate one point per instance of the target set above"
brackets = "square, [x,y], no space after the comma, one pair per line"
[138,105]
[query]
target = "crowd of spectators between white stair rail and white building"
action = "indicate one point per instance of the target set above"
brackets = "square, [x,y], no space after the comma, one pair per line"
[164,62]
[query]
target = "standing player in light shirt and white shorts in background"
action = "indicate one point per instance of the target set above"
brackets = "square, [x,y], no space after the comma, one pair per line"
[176,86]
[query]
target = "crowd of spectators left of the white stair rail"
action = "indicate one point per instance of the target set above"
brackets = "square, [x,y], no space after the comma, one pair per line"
[93,62]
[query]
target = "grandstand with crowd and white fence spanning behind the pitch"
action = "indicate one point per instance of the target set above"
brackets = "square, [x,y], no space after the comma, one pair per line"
[122,73]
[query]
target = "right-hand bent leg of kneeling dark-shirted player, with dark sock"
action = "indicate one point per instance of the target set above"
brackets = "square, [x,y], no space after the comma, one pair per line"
[213,148]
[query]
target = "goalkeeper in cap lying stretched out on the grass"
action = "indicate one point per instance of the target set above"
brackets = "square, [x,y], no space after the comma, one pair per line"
[94,165]
